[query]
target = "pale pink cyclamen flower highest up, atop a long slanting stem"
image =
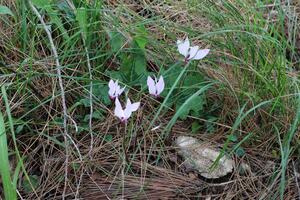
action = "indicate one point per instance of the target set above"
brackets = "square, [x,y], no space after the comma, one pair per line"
[191,52]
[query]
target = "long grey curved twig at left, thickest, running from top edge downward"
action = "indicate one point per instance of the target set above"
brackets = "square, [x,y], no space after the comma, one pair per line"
[63,98]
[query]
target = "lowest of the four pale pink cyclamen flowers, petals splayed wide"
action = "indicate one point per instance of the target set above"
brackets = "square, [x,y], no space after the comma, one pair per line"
[124,114]
